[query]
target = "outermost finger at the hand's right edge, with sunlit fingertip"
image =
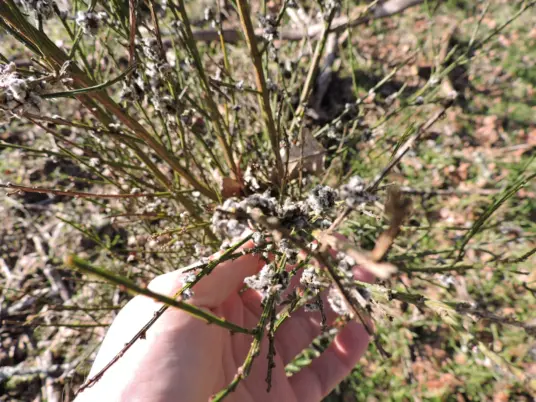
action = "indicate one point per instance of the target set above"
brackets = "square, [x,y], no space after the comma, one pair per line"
[324,373]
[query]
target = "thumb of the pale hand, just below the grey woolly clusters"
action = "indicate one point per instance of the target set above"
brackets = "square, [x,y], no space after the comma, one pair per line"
[215,288]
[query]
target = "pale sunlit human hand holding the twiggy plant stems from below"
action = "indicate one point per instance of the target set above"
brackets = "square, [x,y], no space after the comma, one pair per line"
[183,358]
